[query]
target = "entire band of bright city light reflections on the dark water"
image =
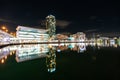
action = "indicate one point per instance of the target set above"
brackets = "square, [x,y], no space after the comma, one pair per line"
[48,51]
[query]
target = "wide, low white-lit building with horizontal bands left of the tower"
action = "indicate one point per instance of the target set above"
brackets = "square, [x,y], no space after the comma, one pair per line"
[27,34]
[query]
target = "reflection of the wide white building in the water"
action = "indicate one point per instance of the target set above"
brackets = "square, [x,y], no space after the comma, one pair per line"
[29,52]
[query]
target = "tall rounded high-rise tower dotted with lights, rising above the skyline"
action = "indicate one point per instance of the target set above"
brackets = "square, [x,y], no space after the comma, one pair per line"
[50,25]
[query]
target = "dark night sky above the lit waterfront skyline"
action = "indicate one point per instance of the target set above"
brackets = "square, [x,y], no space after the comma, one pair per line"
[72,16]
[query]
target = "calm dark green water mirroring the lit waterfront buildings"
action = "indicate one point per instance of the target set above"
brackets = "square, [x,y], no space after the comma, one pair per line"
[63,61]
